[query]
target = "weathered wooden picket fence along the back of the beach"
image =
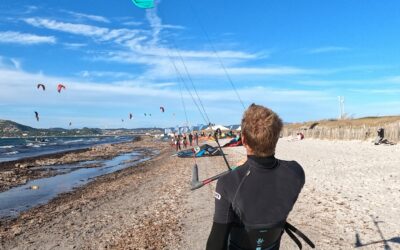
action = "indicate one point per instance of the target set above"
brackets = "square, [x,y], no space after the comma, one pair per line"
[392,132]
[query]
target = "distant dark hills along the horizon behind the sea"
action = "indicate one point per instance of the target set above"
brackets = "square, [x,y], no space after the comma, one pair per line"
[13,129]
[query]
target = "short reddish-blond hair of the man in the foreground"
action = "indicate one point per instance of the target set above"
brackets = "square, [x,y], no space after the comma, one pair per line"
[261,128]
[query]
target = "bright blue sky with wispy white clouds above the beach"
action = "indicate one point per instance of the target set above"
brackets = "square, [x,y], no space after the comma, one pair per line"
[295,57]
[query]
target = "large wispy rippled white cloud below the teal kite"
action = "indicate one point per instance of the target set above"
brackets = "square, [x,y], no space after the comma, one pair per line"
[139,48]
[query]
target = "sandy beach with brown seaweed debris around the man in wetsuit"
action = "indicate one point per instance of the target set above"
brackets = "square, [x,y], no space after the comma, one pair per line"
[350,200]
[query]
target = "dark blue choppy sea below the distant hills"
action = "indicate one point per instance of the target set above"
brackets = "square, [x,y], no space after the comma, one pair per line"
[18,148]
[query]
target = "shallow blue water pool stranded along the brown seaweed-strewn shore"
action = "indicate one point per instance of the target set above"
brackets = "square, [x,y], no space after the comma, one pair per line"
[21,198]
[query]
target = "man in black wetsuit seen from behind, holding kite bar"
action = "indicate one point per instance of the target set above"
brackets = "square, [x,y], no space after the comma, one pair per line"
[253,202]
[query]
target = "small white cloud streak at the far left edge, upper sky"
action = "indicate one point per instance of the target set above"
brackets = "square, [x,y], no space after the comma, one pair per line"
[25,38]
